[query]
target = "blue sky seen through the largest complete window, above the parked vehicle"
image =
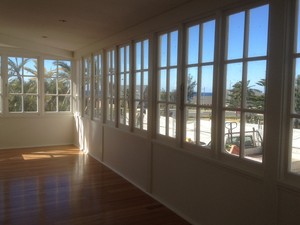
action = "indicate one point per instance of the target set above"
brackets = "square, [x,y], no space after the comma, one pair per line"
[257,46]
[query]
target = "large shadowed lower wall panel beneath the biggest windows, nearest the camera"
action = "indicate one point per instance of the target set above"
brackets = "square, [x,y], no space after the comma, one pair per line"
[203,192]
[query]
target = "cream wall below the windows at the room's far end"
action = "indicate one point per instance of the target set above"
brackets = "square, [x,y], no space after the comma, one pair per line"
[29,131]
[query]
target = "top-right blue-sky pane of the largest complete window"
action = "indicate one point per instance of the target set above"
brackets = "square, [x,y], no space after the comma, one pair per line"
[258,31]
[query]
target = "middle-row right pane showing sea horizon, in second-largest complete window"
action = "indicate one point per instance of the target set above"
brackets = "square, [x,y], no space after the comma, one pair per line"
[207,75]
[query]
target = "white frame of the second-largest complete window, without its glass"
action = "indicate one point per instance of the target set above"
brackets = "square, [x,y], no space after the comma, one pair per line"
[199,104]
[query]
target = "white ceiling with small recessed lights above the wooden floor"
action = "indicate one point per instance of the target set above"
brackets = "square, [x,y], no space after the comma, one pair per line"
[73,24]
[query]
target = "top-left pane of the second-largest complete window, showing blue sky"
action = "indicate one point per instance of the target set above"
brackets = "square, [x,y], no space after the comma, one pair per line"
[193,44]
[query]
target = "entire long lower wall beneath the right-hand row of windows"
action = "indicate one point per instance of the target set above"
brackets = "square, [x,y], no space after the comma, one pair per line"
[201,191]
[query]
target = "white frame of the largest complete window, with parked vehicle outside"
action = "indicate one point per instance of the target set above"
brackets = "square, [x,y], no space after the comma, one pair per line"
[244,60]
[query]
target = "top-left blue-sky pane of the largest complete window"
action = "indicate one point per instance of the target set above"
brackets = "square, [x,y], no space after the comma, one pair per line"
[235,42]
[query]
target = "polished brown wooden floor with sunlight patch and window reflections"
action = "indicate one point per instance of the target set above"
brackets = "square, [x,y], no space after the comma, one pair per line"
[62,186]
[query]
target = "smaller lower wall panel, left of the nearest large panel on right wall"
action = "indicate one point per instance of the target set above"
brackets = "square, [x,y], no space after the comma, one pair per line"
[128,155]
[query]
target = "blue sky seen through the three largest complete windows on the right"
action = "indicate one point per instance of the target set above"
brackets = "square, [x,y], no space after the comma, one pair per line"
[257,46]
